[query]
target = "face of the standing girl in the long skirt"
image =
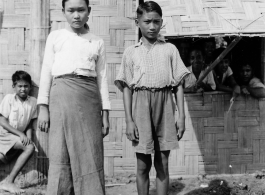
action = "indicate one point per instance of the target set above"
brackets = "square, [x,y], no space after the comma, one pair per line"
[76,13]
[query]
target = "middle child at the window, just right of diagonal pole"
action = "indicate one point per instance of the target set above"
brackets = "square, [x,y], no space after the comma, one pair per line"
[223,74]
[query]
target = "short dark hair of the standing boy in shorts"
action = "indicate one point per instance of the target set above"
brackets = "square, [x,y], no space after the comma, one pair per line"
[148,6]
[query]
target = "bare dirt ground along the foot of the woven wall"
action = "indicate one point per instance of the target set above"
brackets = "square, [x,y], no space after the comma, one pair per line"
[252,184]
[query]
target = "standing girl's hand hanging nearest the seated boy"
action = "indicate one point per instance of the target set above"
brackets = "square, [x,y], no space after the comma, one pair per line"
[43,118]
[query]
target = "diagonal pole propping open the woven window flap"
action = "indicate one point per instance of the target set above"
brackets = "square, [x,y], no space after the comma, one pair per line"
[220,57]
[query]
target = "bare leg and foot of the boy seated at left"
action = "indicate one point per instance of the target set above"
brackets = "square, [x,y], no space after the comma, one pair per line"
[8,184]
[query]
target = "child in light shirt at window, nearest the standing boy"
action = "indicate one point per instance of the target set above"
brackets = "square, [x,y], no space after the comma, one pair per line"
[196,67]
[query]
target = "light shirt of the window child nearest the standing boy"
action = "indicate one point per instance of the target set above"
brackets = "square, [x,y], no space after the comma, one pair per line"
[191,80]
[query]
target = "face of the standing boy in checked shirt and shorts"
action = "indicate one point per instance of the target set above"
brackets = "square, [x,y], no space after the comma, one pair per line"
[150,24]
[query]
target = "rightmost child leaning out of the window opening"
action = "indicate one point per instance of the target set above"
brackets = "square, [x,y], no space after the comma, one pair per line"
[249,83]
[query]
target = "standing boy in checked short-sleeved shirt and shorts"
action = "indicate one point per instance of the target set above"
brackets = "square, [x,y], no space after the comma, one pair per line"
[149,71]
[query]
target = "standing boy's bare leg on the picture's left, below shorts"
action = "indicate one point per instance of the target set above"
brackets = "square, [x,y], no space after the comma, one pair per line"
[144,163]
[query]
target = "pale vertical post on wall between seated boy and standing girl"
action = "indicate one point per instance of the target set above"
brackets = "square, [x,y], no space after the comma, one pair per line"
[39,30]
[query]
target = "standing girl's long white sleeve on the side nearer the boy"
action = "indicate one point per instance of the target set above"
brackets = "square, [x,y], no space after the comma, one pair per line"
[102,77]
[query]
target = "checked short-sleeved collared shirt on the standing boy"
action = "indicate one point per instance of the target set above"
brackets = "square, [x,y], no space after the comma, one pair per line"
[157,67]
